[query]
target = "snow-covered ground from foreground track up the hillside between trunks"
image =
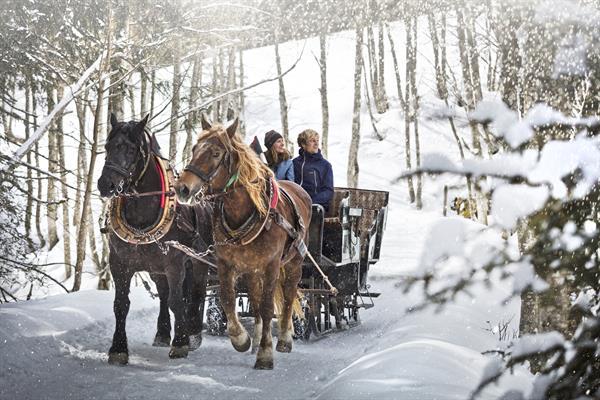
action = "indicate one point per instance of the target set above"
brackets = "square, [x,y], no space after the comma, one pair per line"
[56,347]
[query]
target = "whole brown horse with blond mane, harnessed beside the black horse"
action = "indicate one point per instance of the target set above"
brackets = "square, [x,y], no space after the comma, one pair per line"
[259,231]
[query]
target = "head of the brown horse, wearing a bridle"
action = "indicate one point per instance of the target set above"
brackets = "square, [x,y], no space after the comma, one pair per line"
[213,163]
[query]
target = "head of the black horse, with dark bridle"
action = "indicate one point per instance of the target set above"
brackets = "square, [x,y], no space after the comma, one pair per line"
[125,156]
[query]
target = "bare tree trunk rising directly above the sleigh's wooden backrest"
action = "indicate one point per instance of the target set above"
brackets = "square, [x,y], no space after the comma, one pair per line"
[353,170]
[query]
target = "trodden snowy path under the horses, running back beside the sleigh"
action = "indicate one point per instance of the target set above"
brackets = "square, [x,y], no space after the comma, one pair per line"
[56,347]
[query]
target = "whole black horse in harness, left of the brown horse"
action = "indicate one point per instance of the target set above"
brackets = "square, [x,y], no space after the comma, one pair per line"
[144,215]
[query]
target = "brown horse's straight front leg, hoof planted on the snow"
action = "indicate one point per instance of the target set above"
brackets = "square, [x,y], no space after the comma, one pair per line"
[264,357]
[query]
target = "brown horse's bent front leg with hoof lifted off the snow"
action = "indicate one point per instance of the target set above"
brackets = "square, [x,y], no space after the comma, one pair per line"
[237,333]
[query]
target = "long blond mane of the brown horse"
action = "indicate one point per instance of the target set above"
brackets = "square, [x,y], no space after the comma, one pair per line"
[253,174]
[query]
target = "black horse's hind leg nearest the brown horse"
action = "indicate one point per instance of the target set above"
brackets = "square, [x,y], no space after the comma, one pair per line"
[195,307]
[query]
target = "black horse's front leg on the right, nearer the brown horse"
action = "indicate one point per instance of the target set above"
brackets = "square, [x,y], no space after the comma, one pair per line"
[181,341]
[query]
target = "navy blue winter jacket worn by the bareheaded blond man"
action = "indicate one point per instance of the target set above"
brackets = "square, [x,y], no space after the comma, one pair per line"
[314,174]
